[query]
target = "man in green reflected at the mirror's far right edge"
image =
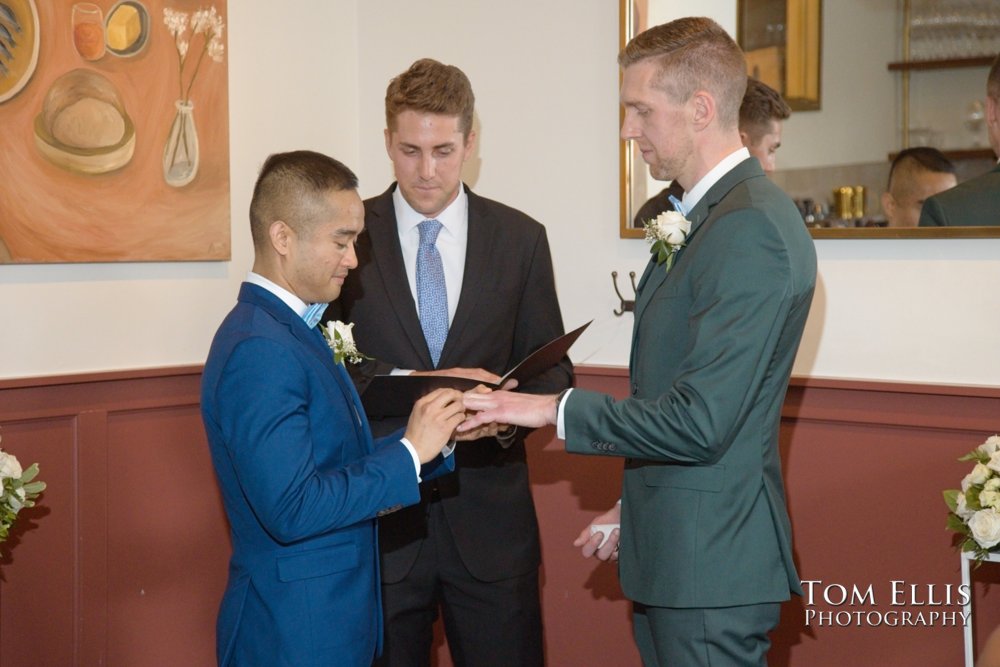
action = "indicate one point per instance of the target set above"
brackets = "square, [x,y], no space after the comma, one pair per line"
[976,202]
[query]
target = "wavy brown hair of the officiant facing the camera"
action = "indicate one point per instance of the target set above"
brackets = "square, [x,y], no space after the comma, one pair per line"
[431,87]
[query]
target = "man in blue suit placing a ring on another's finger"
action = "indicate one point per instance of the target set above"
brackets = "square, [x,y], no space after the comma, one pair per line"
[302,479]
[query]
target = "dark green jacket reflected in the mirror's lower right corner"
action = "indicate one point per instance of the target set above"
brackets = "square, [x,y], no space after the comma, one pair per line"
[974,203]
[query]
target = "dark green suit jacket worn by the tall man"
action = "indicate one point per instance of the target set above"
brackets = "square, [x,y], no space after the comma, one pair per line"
[704,522]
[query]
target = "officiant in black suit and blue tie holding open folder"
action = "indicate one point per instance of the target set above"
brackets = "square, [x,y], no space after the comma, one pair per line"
[471,547]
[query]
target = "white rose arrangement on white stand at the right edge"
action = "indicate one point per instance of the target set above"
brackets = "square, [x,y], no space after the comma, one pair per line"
[975,507]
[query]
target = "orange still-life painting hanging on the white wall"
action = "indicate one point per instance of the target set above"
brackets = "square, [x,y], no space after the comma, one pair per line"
[114,131]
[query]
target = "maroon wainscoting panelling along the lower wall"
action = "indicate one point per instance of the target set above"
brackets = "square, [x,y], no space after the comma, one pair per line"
[124,559]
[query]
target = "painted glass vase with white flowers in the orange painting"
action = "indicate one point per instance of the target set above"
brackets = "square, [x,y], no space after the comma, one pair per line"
[181,156]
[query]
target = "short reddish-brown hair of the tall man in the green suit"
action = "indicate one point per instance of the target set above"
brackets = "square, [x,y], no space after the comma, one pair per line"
[693,53]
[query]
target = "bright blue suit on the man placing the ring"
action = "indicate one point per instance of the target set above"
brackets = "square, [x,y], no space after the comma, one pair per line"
[302,482]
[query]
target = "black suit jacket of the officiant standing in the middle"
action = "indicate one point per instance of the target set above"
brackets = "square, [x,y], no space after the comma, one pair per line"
[507,309]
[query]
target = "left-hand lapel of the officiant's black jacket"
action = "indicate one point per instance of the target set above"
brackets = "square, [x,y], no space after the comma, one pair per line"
[387,255]
